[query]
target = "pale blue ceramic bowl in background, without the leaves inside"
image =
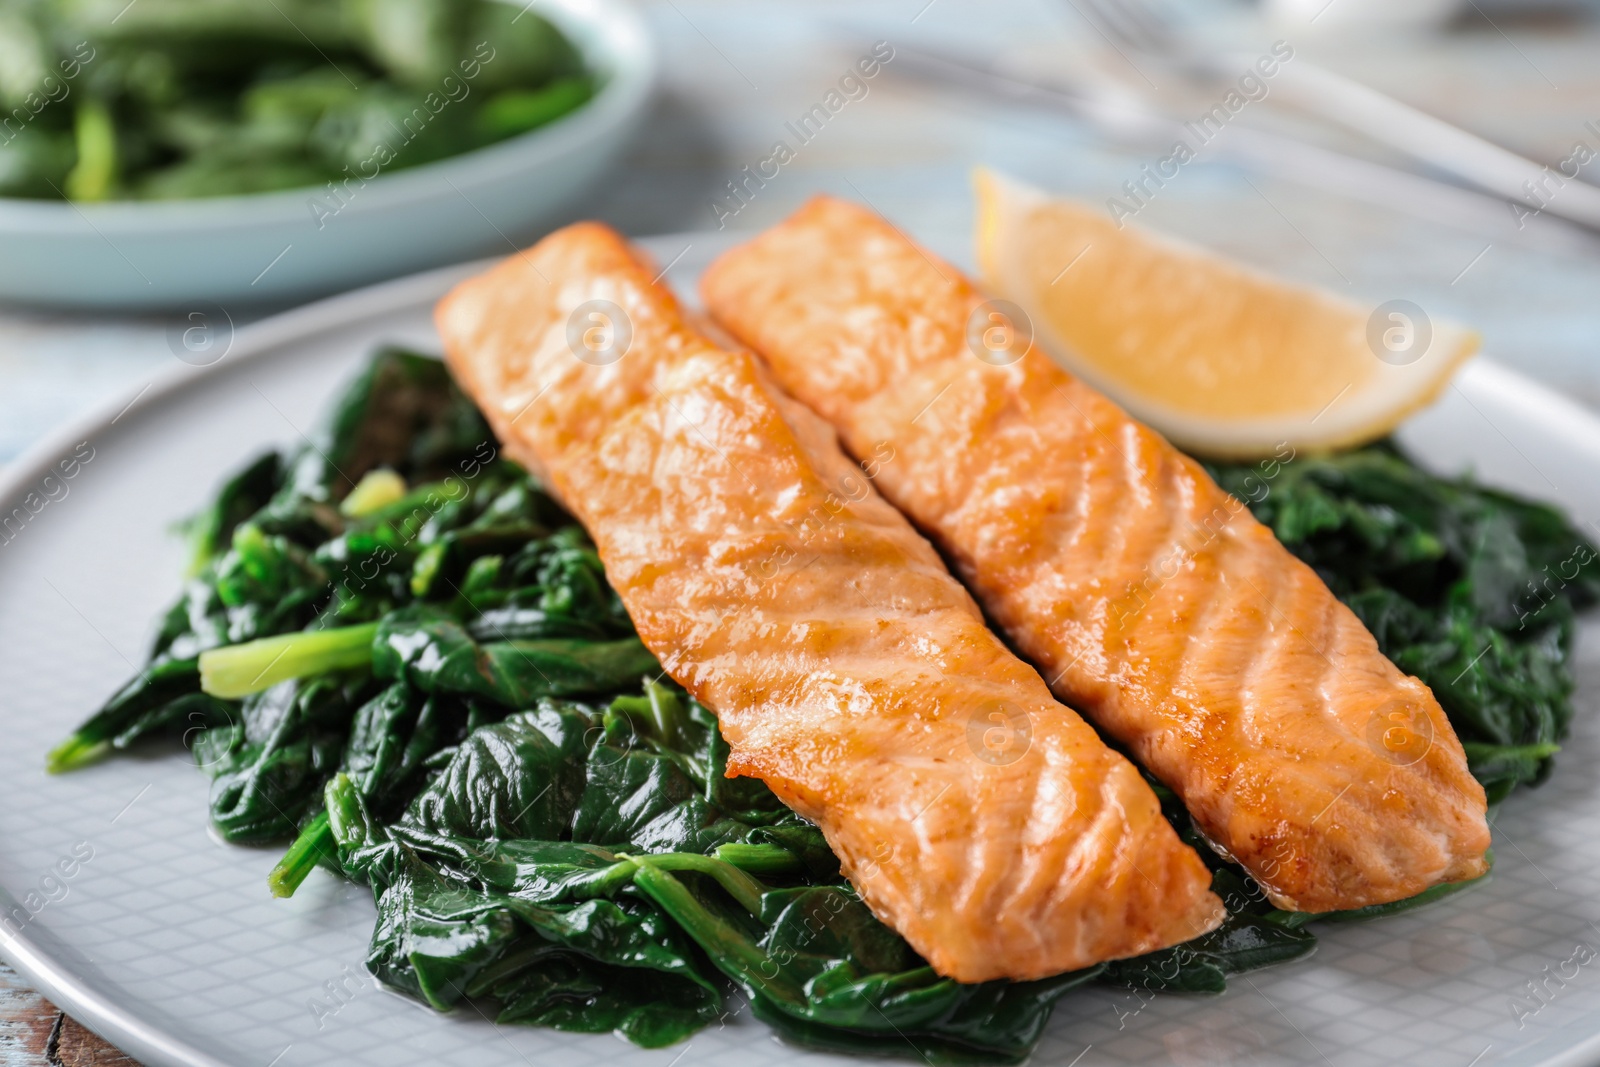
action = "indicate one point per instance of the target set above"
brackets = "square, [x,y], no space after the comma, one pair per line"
[268,249]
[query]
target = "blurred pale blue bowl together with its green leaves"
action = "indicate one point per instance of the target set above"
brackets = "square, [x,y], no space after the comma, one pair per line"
[193,154]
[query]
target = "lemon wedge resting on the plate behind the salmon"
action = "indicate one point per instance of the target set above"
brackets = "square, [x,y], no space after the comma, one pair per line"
[1222,359]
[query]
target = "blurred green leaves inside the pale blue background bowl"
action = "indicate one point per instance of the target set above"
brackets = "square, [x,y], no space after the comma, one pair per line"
[167,100]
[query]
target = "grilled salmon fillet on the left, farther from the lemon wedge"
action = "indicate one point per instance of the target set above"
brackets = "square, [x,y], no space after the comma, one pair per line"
[849,669]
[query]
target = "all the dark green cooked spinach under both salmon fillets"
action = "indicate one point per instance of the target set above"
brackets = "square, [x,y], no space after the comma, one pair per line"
[399,653]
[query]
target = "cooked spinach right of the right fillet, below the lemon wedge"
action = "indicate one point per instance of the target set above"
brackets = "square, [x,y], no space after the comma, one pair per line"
[1470,589]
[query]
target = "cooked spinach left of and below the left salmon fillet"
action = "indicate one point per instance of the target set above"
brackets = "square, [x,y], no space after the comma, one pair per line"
[396,650]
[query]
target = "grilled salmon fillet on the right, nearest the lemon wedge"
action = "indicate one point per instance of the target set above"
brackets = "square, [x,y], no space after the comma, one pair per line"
[1150,597]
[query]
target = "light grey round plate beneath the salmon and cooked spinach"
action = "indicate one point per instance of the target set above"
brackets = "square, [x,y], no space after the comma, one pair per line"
[167,943]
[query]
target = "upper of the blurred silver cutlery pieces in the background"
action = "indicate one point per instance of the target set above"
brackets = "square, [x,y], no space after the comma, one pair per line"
[1530,188]
